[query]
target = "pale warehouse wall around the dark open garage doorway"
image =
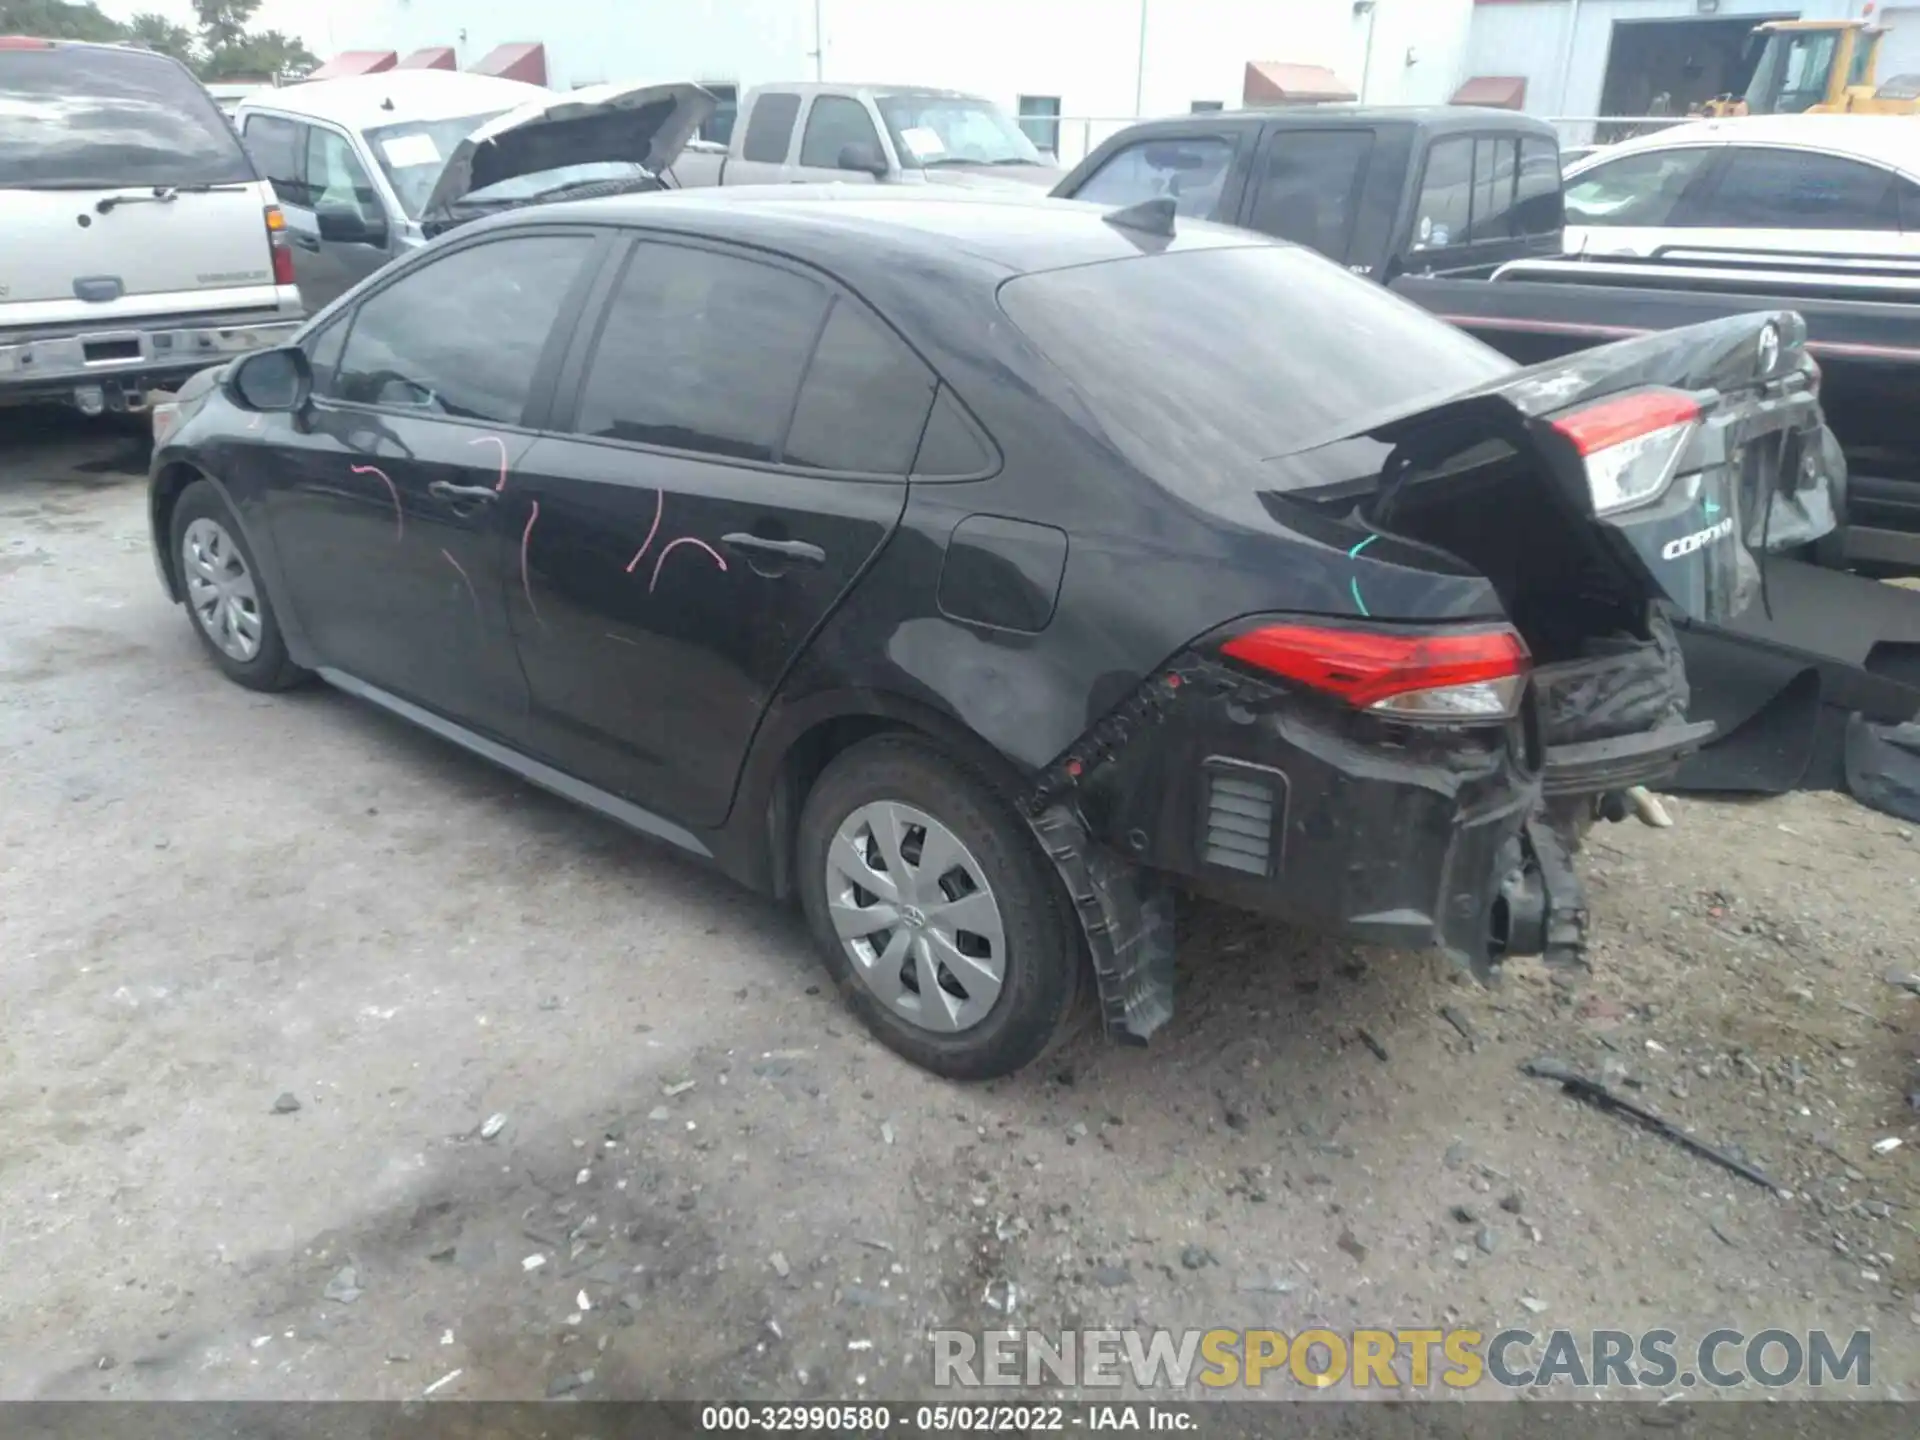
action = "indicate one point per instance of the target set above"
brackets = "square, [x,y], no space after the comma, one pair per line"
[1562,45]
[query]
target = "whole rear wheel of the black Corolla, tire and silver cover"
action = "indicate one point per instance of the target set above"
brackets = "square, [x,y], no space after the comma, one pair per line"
[936,911]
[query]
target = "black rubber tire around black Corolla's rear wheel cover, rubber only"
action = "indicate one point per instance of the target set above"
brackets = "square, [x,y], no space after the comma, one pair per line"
[1045,959]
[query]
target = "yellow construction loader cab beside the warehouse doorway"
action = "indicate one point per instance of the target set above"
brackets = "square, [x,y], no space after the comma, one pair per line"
[1819,68]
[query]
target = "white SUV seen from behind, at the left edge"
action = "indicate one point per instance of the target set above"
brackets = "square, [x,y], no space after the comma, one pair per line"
[139,243]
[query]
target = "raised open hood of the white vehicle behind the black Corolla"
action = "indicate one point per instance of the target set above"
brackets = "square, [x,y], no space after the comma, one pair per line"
[638,124]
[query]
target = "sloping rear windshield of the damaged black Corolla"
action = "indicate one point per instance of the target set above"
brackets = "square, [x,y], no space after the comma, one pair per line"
[1205,364]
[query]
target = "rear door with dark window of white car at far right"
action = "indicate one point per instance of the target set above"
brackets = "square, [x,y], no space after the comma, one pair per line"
[1783,199]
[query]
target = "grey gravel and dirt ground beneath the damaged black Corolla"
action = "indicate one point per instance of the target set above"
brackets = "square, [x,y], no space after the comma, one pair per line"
[272,967]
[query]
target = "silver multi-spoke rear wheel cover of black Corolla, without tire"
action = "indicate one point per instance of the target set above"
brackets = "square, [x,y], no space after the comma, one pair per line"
[894,917]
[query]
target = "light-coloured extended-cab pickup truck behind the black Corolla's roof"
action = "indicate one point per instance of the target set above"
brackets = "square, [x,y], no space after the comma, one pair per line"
[869,135]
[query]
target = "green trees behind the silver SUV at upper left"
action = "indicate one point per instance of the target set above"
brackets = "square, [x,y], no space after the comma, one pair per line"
[220,47]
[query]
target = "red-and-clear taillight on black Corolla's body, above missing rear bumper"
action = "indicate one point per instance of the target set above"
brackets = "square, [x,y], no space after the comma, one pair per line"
[1422,675]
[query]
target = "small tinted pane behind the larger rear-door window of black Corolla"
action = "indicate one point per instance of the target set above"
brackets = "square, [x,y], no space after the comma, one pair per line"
[865,400]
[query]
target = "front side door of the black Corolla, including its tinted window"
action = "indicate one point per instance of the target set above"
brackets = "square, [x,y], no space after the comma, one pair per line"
[389,498]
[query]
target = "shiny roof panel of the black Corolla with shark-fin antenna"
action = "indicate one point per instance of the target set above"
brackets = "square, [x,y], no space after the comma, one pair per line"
[905,233]
